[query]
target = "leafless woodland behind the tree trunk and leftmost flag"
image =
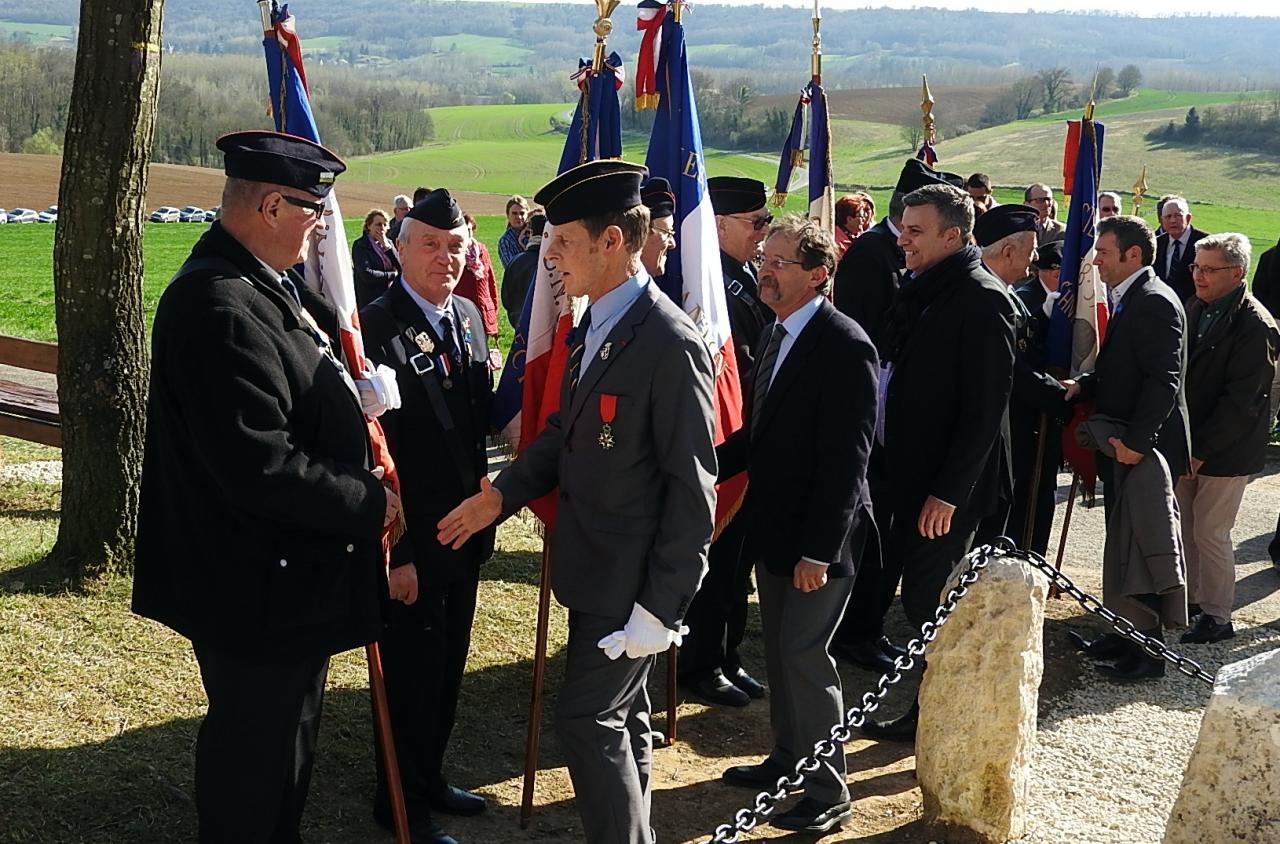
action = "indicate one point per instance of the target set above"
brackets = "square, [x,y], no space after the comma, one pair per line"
[203,98]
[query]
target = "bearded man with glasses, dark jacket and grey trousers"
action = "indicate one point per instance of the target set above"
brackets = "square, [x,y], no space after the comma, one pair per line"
[808,513]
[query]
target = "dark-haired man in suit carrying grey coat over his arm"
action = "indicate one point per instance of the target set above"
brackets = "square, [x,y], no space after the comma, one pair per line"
[1137,380]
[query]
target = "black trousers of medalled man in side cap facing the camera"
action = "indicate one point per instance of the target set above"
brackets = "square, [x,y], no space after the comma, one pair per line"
[424,651]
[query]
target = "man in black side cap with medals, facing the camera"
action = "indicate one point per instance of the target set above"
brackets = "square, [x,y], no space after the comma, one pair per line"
[436,343]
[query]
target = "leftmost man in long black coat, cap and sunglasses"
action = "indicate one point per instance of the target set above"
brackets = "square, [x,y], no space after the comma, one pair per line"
[260,522]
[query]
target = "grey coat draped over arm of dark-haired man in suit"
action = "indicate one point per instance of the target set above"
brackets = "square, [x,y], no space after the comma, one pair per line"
[1144,554]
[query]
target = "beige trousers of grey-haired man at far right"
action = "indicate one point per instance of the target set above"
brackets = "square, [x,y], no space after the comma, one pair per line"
[1209,508]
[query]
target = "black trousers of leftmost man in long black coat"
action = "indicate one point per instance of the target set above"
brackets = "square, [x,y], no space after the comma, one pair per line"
[257,747]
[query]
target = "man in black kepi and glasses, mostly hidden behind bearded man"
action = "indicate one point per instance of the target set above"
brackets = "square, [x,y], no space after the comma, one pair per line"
[710,664]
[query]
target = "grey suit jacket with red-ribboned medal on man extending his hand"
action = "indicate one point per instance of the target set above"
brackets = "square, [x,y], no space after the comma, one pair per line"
[637,509]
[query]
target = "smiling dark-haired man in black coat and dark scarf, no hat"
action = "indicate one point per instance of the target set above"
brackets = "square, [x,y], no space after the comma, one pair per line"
[948,357]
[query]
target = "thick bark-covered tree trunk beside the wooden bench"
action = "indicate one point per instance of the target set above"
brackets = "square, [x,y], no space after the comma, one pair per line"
[98,282]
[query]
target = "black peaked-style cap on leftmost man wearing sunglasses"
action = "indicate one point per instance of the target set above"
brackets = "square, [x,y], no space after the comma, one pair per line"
[281,159]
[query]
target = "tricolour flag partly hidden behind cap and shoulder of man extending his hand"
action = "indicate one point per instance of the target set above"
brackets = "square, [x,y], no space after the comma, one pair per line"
[529,389]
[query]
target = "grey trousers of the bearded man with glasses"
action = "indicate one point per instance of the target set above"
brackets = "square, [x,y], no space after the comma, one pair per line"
[806,699]
